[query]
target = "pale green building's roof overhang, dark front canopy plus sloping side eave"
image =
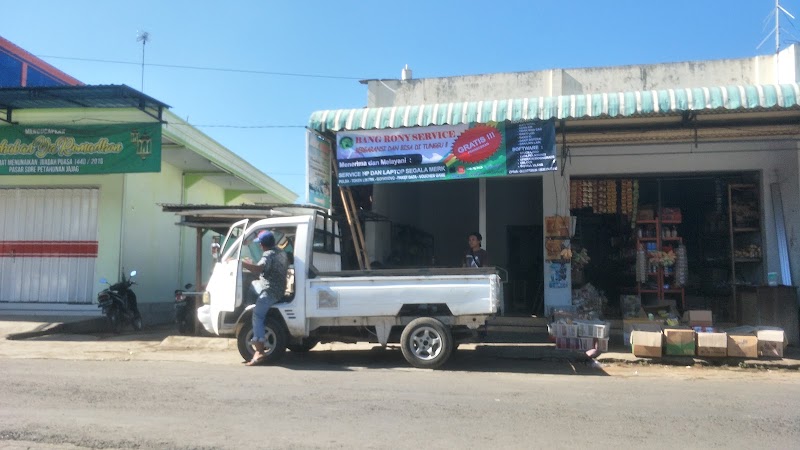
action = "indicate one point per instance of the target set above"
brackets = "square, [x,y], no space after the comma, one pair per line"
[184,146]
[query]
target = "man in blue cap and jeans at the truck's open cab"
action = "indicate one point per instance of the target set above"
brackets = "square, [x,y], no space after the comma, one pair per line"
[273,266]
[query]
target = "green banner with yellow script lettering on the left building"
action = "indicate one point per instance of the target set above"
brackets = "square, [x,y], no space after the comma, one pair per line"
[80,150]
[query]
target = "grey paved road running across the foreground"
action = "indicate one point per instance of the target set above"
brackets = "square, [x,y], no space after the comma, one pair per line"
[372,399]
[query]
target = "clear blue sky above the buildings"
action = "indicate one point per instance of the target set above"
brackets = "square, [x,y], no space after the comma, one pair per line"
[261,116]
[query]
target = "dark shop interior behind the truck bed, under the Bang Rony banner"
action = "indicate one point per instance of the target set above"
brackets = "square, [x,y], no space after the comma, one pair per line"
[426,224]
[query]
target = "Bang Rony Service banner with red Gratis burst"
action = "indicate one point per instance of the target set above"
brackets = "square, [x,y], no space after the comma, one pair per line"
[445,152]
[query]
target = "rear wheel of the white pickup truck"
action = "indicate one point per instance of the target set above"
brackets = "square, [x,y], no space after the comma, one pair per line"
[426,343]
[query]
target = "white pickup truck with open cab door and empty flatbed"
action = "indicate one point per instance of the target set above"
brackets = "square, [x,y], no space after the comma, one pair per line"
[427,311]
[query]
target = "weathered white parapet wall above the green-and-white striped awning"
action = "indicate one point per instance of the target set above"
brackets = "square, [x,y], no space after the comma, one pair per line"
[553,82]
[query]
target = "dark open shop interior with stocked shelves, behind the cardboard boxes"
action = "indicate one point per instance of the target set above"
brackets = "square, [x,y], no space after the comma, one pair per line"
[668,238]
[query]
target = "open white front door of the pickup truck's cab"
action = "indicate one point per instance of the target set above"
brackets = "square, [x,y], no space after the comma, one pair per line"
[224,286]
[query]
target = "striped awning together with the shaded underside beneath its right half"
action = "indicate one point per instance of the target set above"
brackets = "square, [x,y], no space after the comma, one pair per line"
[662,114]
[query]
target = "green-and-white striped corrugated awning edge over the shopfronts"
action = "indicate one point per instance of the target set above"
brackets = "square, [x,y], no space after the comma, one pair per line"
[584,106]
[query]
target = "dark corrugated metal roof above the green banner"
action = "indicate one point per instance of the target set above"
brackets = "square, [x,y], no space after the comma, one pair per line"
[109,96]
